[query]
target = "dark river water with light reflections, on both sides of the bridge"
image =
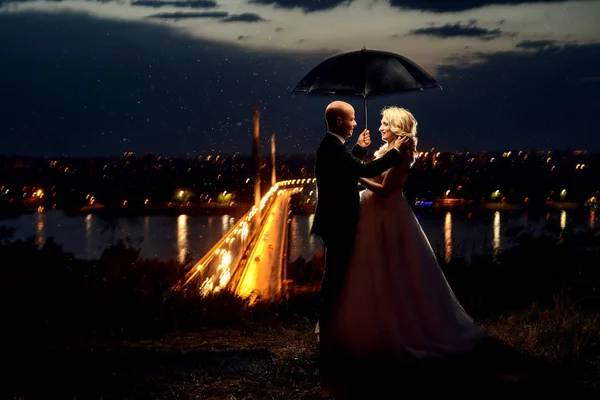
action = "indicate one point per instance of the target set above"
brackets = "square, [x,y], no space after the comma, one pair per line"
[172,237]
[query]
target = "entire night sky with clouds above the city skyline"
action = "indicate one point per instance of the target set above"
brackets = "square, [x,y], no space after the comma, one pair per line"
[87,78]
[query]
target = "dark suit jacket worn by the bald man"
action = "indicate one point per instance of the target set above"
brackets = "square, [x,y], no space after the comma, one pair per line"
[337,170]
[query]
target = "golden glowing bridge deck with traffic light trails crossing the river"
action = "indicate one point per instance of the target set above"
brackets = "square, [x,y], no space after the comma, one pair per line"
[251,258]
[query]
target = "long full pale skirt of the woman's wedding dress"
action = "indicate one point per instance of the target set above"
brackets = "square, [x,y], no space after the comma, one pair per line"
[396,298]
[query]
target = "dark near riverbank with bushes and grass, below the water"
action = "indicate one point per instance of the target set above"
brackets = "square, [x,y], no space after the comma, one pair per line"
[112,329]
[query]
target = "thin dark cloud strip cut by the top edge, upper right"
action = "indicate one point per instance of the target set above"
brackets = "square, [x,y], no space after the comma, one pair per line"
[442,6]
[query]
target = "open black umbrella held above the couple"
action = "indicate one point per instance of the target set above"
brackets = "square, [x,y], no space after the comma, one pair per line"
[366,73]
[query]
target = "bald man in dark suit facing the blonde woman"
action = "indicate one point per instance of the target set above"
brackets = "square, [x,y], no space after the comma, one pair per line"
[337,170]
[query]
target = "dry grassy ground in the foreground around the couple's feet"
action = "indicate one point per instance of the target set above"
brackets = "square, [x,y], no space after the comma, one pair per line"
[279,362]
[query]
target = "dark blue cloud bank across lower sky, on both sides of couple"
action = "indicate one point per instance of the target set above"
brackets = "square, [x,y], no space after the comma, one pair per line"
[78,85]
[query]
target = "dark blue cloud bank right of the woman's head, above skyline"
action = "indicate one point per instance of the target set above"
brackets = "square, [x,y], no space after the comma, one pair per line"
[514,100]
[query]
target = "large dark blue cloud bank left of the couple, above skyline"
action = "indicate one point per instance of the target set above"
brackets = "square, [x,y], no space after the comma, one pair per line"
[80,85]
